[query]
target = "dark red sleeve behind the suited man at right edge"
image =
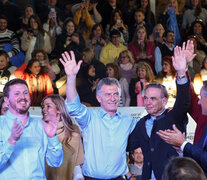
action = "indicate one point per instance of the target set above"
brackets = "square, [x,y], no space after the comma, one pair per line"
[196,112]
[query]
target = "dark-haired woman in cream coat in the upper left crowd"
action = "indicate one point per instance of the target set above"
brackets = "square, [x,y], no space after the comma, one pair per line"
[35,37]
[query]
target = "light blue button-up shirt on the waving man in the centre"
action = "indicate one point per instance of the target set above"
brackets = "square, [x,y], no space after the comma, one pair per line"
[104,138]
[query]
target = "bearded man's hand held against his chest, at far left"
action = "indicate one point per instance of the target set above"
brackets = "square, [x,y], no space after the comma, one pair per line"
[16,132]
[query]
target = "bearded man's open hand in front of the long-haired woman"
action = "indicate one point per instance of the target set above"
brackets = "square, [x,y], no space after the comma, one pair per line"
[50,124]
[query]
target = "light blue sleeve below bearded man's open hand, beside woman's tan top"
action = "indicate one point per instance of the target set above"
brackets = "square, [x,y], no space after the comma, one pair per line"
[54,154]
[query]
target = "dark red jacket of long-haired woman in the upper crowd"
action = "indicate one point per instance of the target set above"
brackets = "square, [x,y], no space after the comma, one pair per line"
[133,47]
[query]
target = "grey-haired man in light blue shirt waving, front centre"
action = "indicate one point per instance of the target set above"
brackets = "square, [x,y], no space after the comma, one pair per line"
[105,130]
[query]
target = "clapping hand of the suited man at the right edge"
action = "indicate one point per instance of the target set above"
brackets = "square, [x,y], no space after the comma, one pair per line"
[173,137]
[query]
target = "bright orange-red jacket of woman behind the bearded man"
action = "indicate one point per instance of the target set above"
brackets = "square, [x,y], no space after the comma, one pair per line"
[38,87]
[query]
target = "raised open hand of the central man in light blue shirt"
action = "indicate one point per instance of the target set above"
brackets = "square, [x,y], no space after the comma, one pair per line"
[69,63]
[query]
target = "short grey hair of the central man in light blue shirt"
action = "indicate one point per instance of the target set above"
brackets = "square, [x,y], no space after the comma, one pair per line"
[107,81]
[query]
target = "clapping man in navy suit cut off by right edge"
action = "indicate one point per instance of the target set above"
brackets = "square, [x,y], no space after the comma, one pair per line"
[177,139]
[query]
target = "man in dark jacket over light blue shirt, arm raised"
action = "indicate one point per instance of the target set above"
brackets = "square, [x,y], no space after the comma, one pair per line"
[156,151]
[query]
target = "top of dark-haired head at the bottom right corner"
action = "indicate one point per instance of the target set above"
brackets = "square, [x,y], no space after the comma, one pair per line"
[183,168]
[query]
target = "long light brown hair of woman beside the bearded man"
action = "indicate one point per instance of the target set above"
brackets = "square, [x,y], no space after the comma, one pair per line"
[69,126]
